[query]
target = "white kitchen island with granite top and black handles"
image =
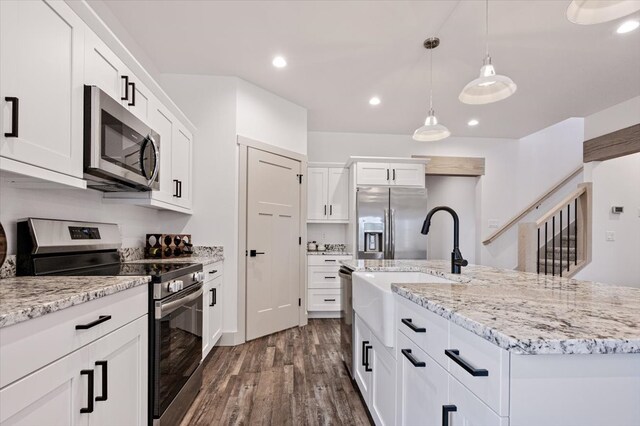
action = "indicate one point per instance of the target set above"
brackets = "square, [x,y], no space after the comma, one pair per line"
[500,347]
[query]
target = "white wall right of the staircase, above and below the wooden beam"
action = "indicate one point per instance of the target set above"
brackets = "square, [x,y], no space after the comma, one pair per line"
[615,182]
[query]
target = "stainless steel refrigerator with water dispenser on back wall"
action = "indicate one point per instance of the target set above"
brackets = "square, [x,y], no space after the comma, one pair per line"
[389,221]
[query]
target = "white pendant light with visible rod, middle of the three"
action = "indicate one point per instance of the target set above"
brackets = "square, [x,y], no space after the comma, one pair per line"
[489,87]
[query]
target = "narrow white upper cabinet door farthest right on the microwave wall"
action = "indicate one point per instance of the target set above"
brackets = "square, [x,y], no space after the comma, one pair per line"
[181,148]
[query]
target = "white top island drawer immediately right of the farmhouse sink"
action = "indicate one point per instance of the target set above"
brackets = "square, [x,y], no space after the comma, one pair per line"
[428,330]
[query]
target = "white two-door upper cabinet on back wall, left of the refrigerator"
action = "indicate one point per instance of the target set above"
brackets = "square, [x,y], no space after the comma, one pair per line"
[328,194]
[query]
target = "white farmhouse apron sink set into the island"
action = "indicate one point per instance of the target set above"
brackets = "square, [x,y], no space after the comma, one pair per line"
[373,299]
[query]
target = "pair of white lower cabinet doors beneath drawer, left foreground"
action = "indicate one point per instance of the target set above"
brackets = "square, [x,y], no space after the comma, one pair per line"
[103,383]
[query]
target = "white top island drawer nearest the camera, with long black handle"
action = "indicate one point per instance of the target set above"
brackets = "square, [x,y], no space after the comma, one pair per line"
[473,354]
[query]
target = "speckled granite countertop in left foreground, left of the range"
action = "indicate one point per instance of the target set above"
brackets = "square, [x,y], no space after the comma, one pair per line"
[25,298]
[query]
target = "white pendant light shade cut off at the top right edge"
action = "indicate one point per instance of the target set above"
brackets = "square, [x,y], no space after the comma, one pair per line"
[589,12]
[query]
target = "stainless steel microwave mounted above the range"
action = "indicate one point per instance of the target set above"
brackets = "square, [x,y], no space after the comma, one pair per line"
[121,153]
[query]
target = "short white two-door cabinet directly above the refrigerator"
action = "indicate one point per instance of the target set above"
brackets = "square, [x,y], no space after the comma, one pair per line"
[390,174]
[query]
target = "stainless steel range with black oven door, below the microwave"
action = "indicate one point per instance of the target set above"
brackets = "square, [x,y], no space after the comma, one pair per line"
[59,247]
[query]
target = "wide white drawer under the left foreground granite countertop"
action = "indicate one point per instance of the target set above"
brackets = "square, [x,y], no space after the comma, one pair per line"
[32,344]
